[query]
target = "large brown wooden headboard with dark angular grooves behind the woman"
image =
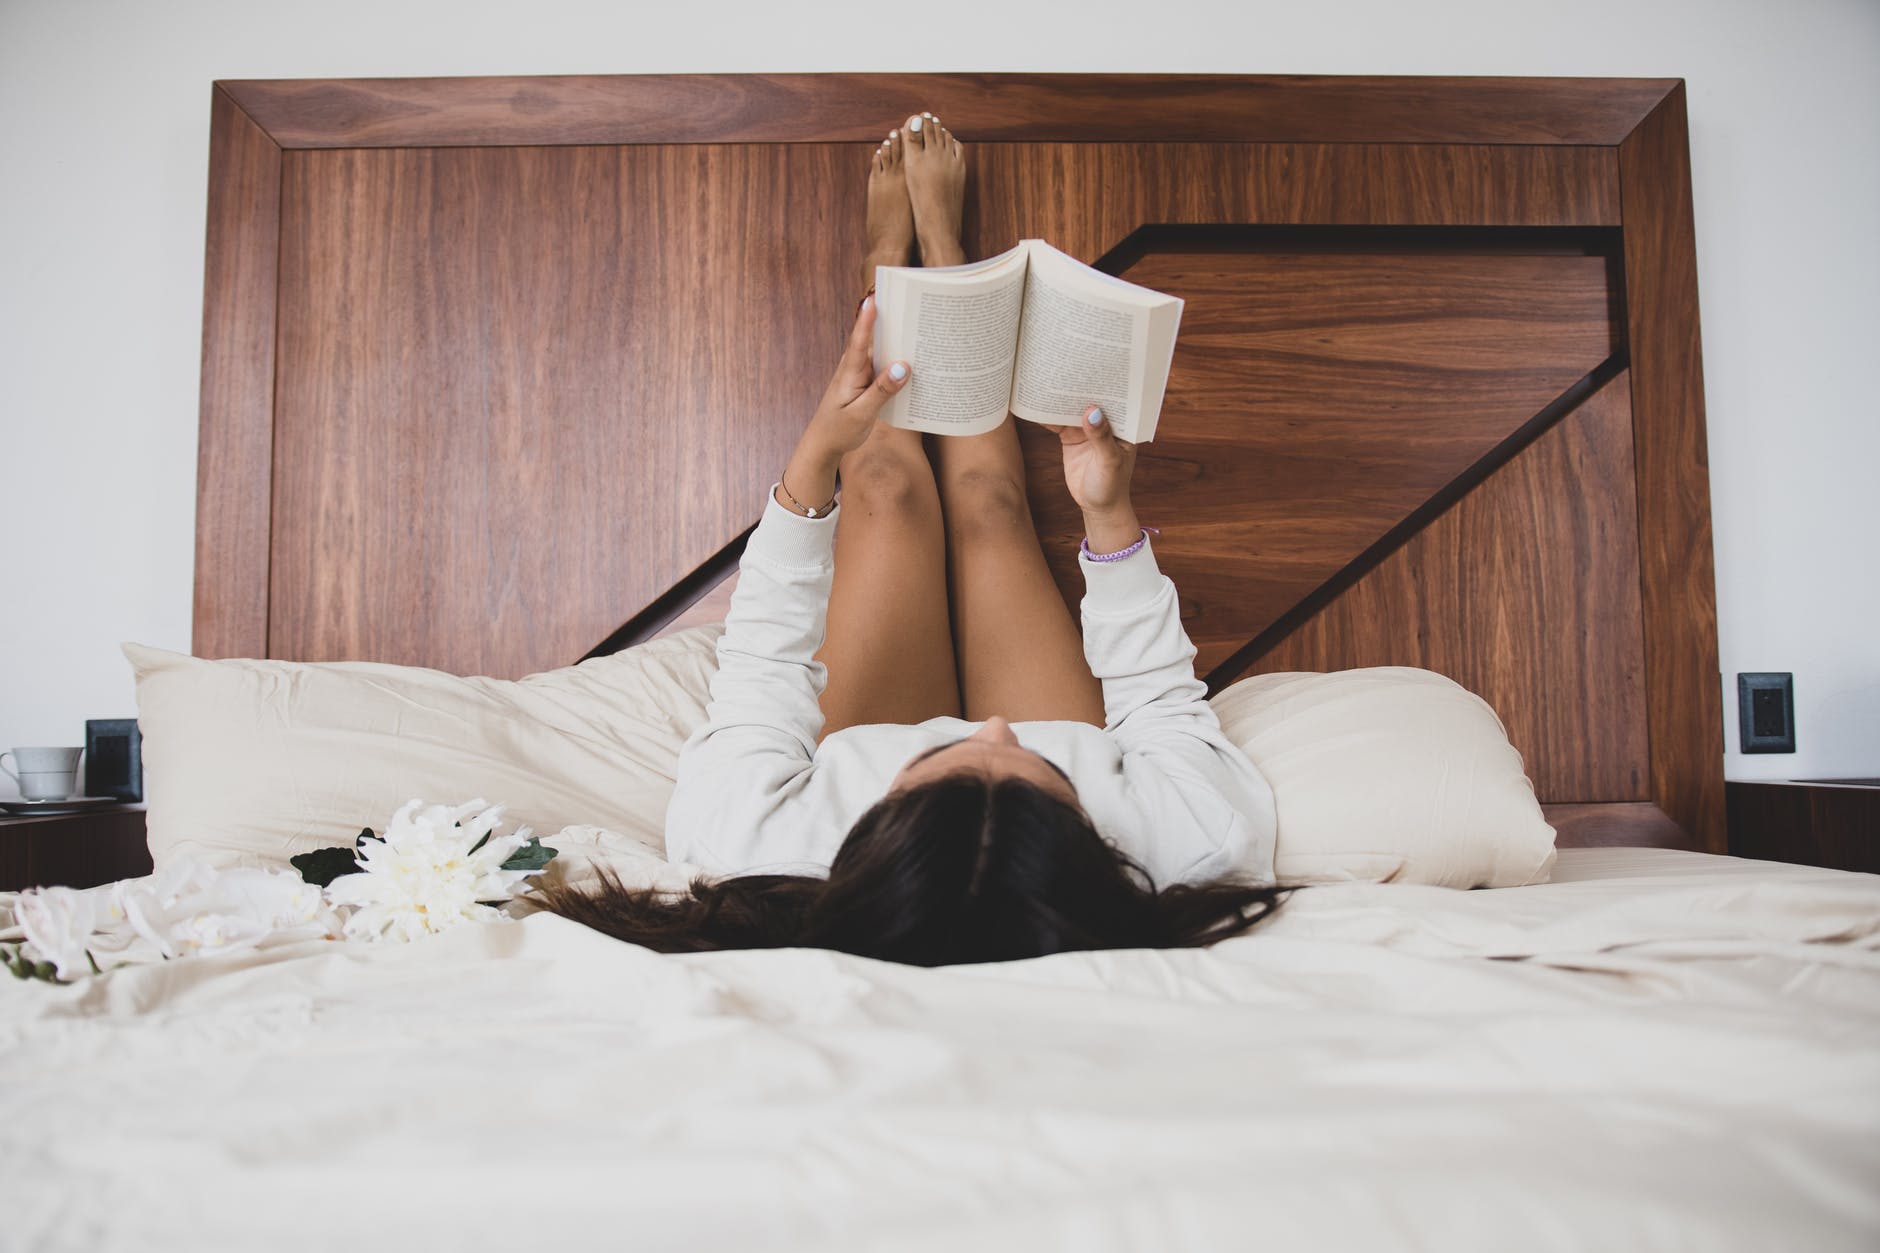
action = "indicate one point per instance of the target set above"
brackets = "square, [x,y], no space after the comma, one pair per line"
[495,372]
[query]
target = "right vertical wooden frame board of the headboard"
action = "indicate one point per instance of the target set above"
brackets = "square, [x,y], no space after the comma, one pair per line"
[1680,584]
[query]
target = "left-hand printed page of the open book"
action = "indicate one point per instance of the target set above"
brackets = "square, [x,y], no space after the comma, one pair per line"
[958,328]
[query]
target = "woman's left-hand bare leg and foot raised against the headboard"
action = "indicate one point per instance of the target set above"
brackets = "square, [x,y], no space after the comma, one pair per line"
[888,646]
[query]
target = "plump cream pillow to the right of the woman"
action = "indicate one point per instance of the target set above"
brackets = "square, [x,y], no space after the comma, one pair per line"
[1390,776]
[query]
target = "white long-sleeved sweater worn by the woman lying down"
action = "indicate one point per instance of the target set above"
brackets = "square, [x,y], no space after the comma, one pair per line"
[757,795]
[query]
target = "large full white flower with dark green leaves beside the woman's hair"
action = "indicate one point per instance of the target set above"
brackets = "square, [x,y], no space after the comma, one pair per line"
[428,876]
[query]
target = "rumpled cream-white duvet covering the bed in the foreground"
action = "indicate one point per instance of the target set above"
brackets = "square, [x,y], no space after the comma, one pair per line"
[1657,1051]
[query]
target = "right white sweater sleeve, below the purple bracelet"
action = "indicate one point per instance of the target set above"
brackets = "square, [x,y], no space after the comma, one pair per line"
[1202,808]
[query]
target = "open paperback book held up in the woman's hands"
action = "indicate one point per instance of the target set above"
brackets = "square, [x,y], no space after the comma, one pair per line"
[1033,332]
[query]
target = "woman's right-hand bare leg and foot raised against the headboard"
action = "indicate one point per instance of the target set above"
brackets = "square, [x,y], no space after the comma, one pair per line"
[1018,650]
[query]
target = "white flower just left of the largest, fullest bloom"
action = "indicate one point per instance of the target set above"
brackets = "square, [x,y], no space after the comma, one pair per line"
[193,908]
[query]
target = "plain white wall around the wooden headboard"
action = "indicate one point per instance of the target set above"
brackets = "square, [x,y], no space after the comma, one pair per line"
[104,138]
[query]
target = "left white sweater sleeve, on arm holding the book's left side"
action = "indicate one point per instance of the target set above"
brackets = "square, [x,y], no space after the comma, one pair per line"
[760,729]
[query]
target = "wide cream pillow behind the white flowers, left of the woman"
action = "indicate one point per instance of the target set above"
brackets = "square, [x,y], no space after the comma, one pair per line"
[249,763]
